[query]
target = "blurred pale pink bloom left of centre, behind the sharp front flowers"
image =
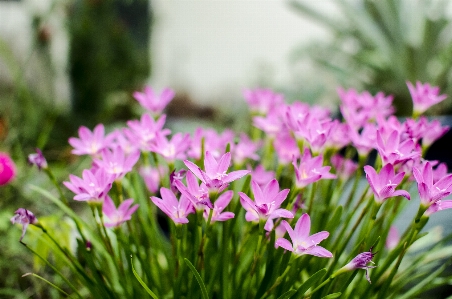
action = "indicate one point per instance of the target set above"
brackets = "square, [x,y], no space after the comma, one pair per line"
[172,149]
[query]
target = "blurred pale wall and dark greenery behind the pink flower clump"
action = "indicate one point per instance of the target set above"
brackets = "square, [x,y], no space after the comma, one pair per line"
[66,63]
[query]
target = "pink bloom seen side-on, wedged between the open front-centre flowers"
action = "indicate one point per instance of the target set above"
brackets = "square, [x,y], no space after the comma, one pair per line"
[197,194]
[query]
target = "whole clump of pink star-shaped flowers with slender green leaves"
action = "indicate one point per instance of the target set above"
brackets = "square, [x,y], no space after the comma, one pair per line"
[223,206]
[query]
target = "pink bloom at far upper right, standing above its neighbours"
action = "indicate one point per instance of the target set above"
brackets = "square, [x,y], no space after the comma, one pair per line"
[424,96]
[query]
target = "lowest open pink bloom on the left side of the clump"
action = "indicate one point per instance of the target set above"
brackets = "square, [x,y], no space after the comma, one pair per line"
[115,217]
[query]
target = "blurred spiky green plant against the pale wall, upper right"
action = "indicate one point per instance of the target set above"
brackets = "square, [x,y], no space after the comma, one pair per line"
[381,44]
